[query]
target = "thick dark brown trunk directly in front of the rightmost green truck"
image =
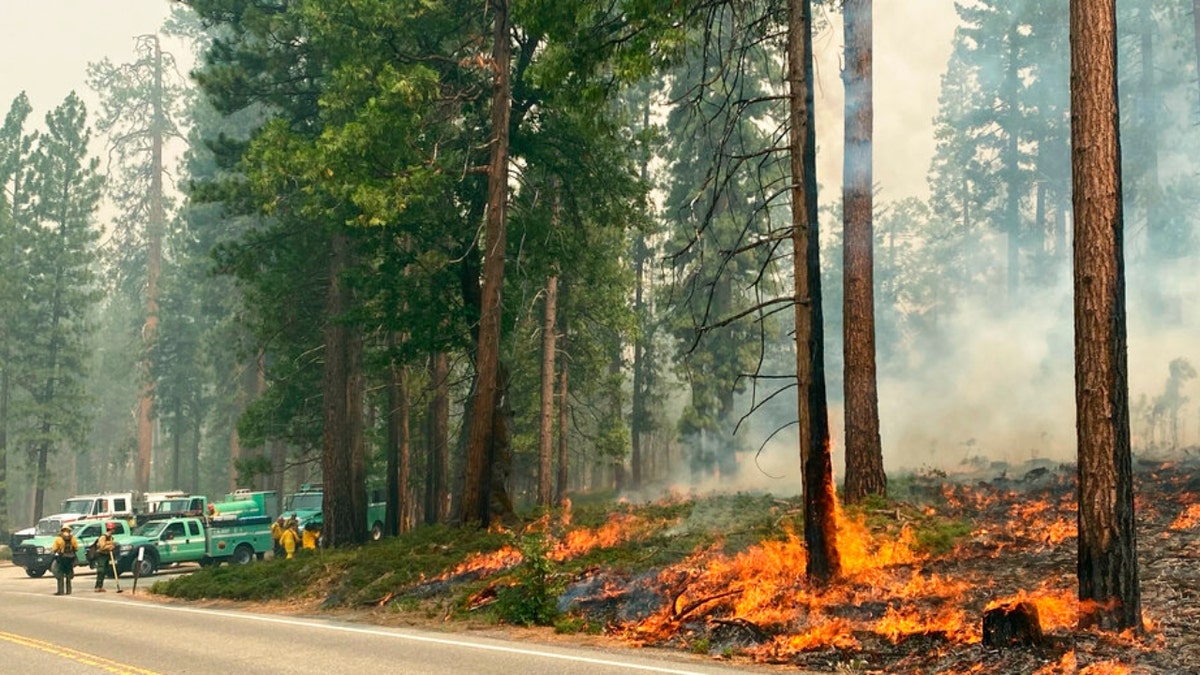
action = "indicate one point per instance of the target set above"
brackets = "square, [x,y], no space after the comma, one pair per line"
[345,511]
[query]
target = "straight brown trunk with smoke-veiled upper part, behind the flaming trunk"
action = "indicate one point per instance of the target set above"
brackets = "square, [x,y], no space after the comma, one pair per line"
[865,452]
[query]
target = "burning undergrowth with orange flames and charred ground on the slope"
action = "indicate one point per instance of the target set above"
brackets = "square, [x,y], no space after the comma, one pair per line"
[911,598]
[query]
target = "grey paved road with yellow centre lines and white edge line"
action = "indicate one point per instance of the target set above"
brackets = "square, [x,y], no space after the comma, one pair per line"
[117,634]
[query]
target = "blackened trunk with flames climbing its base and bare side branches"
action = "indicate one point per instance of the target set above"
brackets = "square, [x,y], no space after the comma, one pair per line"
[817,465]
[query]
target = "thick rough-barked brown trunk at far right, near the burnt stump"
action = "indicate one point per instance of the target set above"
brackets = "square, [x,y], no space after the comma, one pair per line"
[1108,552]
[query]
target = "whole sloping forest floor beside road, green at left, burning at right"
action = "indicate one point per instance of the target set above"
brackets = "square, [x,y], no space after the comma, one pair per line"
[724,577]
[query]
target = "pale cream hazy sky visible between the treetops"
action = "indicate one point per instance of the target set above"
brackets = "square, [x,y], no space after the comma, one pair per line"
[46,47]
